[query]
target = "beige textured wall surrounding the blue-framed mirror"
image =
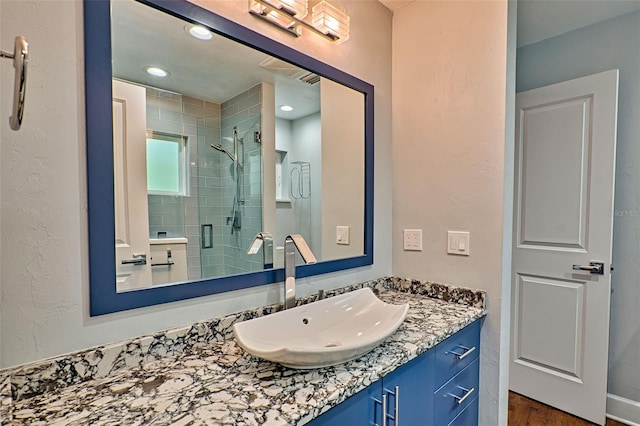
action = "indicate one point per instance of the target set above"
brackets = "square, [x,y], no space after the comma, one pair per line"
[43,212]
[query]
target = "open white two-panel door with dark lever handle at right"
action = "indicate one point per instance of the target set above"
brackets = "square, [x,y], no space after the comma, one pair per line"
[565,161]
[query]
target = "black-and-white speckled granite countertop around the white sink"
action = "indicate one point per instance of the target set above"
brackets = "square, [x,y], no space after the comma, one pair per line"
[219,383]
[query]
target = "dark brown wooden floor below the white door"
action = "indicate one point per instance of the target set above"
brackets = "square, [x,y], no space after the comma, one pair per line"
[527,412]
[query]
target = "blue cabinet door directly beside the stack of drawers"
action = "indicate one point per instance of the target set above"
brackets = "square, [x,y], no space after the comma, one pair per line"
[414,384]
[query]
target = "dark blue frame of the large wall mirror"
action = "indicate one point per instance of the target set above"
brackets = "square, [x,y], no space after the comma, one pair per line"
[102,274]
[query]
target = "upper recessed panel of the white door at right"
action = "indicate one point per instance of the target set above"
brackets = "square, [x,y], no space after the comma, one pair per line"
[556,140]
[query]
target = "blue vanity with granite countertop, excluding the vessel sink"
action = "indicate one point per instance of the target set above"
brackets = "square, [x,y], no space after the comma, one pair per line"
[198,374]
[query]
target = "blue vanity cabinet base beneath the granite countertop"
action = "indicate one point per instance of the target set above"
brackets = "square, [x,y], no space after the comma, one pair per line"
[438,388]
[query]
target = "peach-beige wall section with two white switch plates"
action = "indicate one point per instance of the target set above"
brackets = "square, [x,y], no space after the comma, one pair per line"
[449,91]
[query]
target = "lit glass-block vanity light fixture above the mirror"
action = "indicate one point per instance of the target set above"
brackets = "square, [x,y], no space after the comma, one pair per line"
[328,21]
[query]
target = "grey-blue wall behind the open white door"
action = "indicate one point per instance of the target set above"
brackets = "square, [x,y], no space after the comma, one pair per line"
[576,54]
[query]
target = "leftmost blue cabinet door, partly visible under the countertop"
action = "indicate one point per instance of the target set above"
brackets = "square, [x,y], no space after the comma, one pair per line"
[358,410]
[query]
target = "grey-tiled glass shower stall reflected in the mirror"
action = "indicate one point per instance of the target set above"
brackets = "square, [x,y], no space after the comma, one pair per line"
[229,169]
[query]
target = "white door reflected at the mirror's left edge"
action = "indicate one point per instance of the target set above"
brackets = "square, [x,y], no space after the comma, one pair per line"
[130,180]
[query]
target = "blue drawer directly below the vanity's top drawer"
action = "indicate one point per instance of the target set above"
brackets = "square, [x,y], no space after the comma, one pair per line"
[455,395]
